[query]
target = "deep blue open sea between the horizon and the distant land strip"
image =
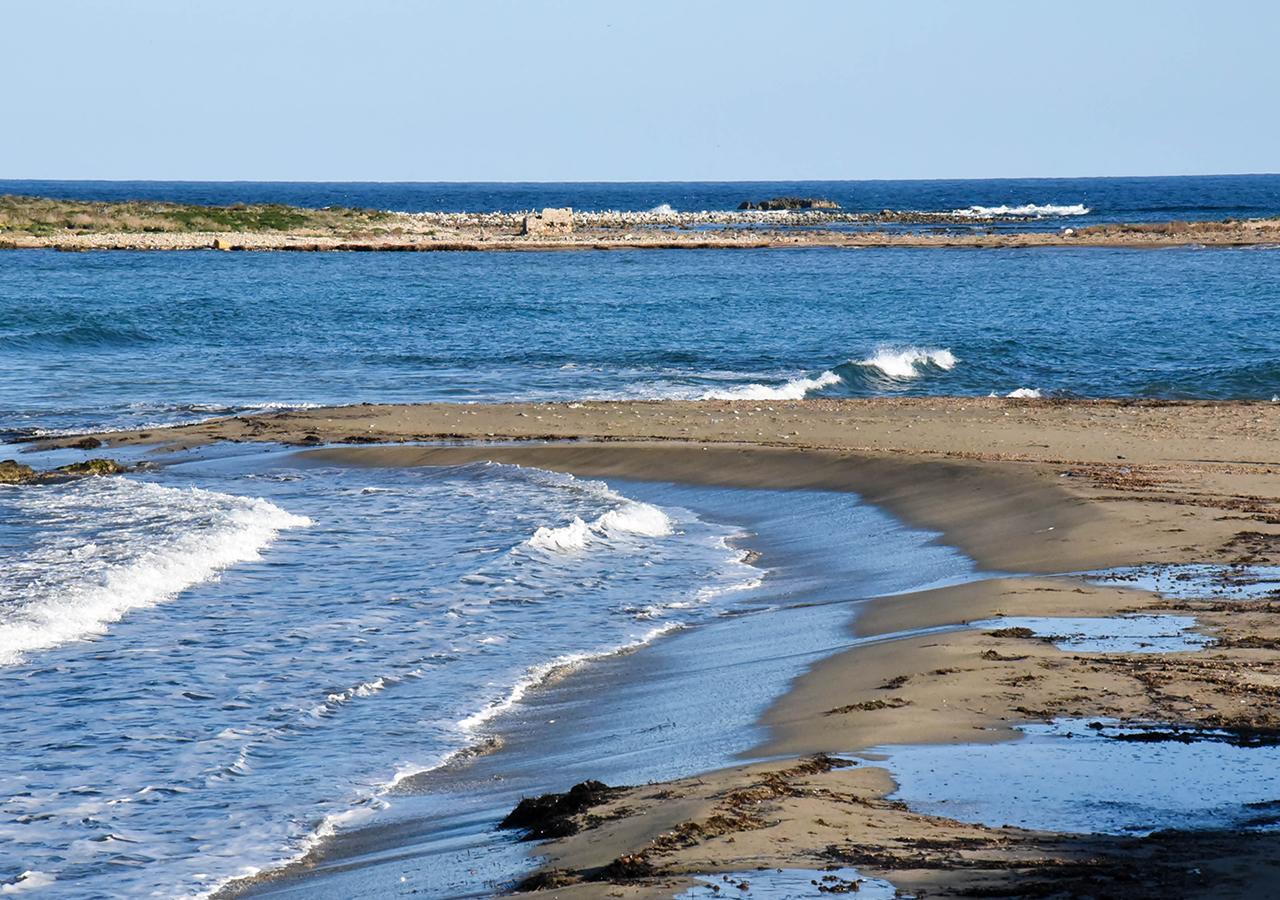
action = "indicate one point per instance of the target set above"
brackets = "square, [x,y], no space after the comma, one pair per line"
[1077,200]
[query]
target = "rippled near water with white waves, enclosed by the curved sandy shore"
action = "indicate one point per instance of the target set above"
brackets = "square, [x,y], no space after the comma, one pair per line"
[226,624]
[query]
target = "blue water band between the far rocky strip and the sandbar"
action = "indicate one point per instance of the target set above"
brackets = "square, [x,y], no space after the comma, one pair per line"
[121,339]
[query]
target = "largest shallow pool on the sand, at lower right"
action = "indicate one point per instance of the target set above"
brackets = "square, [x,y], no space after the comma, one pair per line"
[1071,778]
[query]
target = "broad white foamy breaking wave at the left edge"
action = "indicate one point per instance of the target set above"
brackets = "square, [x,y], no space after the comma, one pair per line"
[117,545]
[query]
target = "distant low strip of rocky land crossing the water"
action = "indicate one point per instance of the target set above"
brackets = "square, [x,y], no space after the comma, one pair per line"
[83,226]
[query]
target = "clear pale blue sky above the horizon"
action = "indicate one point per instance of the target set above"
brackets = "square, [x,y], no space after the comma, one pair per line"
[536,90]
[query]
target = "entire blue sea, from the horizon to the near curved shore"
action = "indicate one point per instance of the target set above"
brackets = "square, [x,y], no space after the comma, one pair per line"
[228,659]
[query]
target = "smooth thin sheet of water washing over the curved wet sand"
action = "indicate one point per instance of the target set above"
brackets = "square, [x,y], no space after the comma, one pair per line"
[684,705]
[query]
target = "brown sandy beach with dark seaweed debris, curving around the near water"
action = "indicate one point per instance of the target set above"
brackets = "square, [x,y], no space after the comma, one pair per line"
[1032,488]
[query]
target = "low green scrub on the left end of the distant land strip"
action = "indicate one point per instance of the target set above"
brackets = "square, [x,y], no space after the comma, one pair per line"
[43,216]
